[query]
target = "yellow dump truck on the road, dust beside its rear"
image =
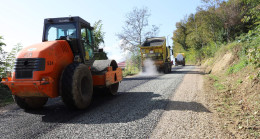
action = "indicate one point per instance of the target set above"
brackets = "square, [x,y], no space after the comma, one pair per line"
[156,50]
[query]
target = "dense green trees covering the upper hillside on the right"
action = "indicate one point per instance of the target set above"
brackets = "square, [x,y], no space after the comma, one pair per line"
[216,23]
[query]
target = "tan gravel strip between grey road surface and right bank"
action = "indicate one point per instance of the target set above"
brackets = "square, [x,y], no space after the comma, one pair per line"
[187,115]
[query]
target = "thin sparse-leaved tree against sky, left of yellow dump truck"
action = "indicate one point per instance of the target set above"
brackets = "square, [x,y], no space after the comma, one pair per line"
[136,29]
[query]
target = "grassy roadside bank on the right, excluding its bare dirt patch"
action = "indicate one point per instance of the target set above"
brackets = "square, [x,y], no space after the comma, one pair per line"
[235,92]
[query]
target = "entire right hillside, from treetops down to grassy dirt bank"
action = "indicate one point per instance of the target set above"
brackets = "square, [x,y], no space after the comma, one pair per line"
[223,36]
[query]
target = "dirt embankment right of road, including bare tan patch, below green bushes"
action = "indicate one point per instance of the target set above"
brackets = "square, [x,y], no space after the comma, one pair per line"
[234,96]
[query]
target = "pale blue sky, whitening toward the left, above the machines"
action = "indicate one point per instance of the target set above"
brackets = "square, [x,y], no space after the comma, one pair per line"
[21,21]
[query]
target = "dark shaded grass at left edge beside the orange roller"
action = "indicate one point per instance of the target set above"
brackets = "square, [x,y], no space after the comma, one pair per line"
[5,96]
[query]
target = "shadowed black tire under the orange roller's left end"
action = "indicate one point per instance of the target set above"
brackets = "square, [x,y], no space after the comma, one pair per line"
[28,103]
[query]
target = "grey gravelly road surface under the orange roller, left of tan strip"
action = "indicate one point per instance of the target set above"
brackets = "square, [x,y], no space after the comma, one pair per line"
[133,113]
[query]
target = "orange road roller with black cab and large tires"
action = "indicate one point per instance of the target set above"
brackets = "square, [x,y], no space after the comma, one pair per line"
[63,65]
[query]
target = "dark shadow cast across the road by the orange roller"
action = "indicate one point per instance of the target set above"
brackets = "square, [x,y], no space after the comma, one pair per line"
[126,107]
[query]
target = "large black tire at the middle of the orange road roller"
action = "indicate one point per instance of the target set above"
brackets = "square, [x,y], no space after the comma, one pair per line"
[76,86]
